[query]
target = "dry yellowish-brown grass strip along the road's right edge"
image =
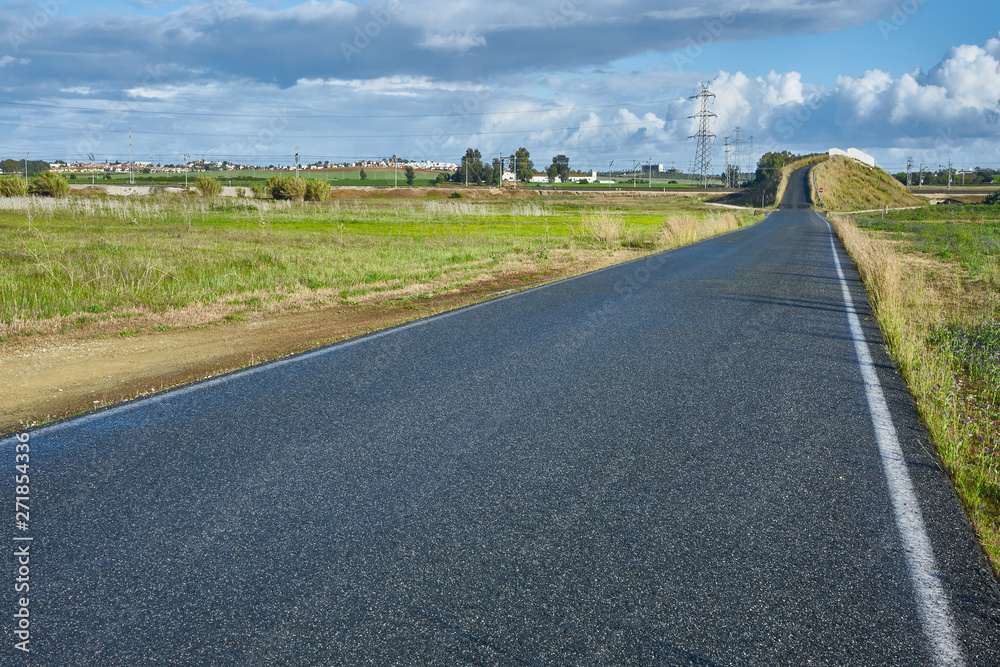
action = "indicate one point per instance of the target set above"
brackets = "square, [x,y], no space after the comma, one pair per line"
[910,299]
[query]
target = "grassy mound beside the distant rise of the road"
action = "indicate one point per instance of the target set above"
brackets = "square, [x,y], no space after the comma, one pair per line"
[849,185]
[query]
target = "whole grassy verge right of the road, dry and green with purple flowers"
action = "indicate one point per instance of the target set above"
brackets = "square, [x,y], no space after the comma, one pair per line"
[934,279]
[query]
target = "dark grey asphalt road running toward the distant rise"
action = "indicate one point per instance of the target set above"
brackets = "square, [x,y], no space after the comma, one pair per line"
[671,461]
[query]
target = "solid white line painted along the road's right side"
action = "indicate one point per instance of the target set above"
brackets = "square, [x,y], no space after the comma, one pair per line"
[932,601]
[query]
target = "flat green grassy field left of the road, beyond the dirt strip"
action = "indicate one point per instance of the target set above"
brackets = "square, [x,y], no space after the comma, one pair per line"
[67,263]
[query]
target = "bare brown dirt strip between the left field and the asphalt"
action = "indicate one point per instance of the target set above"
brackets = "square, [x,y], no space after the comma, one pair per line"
[52,376]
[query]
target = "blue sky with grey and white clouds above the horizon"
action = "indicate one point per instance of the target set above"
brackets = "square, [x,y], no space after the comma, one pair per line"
[598,80]
